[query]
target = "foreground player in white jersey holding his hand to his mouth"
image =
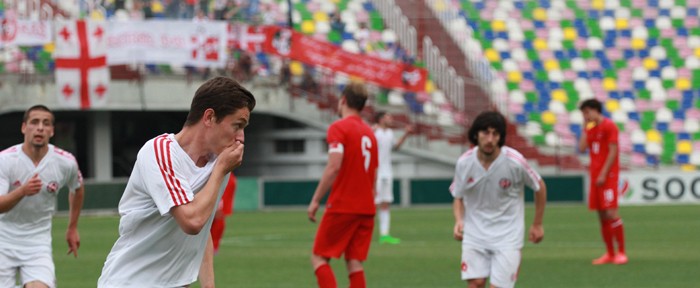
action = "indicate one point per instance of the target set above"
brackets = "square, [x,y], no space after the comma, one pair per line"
[173,192]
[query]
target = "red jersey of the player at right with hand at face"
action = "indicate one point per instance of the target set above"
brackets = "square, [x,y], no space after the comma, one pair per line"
[599,139]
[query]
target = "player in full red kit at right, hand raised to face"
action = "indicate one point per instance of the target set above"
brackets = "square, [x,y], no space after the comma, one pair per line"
[602,144]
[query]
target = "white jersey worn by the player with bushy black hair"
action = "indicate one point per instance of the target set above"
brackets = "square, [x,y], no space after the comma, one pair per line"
[494,202]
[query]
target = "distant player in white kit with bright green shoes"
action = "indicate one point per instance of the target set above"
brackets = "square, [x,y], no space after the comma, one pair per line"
[385,175]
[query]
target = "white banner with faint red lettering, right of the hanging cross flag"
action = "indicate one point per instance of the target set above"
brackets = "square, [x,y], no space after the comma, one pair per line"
[200,44]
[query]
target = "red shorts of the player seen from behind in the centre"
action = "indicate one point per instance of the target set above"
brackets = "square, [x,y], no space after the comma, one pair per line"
[348,234]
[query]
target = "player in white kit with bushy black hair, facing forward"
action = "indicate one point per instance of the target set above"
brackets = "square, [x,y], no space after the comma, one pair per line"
[489,208]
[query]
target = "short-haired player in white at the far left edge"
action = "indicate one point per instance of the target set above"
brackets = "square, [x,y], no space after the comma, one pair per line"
[31,174]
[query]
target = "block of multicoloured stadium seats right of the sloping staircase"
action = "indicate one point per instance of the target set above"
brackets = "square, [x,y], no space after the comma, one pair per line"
[640,58]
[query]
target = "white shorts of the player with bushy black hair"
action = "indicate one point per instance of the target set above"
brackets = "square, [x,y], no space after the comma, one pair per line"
[500,265]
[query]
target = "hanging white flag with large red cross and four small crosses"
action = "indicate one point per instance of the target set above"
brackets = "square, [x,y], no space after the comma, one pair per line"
[82,76]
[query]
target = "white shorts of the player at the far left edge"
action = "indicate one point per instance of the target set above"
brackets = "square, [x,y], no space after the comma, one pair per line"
[32,266]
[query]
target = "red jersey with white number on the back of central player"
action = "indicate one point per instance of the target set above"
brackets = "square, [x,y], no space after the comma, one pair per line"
[353,188]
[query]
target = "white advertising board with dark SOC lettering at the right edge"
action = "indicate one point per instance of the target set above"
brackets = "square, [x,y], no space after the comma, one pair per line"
[660,188]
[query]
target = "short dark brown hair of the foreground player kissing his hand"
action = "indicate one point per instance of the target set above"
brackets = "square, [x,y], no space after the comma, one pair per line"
[222,94]
